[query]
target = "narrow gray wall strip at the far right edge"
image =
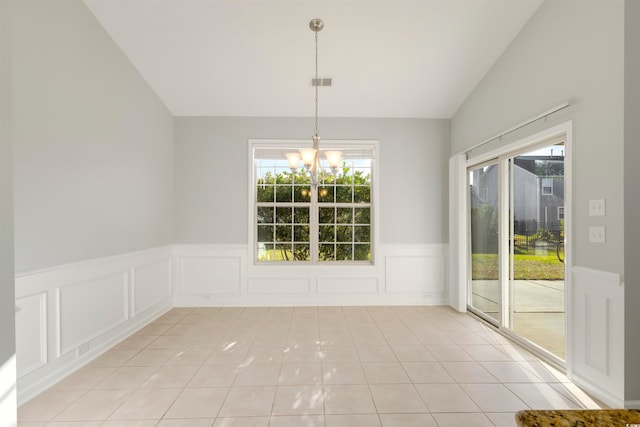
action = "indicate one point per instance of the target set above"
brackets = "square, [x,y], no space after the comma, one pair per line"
[632,197]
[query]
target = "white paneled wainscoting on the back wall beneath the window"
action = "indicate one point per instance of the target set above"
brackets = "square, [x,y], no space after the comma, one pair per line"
[224,275]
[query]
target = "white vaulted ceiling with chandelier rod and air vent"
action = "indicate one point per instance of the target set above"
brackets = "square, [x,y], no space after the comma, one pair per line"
[388,58]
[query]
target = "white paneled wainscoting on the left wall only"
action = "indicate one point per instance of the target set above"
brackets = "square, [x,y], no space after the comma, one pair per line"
[70,314]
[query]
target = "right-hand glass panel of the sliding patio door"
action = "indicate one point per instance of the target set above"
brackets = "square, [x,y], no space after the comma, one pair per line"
[536,282]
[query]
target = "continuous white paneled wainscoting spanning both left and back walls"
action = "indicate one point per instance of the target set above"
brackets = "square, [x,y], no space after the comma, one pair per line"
[71,314]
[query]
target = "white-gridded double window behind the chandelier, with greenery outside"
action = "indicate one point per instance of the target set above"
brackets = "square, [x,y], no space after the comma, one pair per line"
[294,223]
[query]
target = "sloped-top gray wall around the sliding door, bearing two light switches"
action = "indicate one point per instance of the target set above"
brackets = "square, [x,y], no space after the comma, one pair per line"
[569,50]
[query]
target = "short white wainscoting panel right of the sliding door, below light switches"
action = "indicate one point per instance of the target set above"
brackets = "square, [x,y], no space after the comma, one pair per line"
[597,344]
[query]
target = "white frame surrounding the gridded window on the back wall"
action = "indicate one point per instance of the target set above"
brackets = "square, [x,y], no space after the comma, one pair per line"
[295,144]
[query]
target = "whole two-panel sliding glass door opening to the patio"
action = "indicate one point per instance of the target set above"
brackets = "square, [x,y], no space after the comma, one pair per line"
[516,211]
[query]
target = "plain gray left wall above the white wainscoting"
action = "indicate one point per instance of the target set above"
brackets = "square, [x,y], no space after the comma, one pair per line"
[93,144]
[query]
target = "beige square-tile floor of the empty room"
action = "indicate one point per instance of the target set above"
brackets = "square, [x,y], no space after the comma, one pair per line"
[306,367]
